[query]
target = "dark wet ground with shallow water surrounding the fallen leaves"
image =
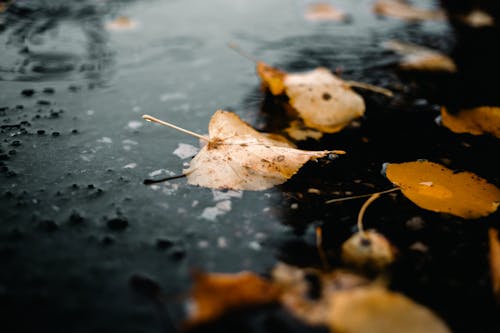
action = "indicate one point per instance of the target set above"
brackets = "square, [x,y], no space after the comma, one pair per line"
[81,236]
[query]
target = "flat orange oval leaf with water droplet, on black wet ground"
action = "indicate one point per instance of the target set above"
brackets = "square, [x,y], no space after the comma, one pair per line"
[434,187]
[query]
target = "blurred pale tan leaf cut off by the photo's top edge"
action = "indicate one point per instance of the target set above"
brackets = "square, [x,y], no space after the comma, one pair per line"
[405,11]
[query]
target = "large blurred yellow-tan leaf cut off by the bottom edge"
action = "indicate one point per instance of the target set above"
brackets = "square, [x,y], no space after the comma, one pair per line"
[377,310]
